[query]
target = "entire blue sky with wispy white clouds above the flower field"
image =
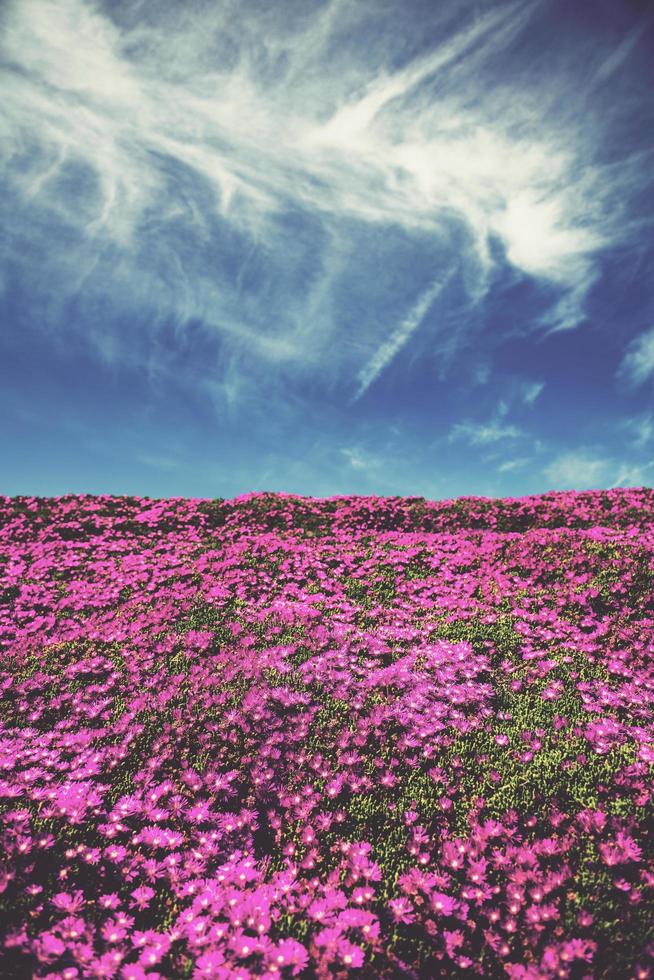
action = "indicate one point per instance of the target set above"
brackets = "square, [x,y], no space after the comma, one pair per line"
[356,246]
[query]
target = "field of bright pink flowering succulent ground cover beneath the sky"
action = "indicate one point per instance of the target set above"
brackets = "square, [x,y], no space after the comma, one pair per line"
[277,737]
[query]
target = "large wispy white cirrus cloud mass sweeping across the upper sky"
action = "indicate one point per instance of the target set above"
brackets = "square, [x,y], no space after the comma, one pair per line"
[308,204]
